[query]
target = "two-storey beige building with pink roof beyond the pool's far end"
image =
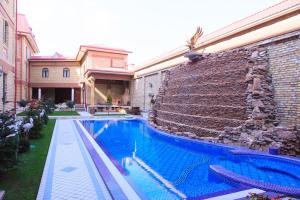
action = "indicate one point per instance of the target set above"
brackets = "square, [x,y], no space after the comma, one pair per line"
[95,73]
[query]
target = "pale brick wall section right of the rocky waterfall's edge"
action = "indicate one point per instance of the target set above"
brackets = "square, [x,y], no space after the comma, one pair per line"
[284,60]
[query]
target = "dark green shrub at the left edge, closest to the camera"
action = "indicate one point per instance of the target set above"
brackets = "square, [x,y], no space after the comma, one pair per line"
[9,142]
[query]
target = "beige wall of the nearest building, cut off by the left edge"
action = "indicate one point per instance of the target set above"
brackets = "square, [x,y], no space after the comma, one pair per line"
[7,52]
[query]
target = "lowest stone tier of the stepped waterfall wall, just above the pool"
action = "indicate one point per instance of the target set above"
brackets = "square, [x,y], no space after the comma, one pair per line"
[199,131]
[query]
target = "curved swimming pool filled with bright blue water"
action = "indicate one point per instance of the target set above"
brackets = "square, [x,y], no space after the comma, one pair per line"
[162,166]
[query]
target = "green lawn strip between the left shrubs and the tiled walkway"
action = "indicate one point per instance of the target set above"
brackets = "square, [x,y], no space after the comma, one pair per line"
[23,182]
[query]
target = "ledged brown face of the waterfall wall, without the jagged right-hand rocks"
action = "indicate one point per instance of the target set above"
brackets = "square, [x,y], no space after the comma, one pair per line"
[205,96]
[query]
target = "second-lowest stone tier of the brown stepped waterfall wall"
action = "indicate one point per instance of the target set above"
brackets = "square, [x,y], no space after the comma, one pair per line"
[216,123]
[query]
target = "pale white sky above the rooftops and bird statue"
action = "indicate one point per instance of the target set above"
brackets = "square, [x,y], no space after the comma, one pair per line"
[147,28]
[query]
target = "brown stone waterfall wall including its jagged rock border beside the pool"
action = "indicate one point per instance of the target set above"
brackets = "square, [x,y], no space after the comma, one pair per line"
[226,97]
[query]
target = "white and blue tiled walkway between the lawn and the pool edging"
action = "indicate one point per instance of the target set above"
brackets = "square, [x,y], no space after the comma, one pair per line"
[69,171]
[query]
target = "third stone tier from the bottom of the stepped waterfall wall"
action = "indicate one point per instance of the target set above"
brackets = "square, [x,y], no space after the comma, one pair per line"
[231,112]
